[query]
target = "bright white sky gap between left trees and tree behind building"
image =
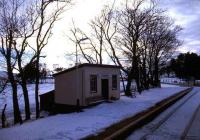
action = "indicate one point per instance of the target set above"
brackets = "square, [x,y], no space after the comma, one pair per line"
[81,13]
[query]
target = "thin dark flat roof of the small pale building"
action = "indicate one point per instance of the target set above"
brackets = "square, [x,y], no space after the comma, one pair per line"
[86,65]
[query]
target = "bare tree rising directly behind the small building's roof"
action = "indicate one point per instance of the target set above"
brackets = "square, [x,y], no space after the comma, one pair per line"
[94,49]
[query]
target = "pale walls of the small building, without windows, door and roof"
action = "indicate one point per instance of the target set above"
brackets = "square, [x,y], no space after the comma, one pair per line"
[68,89]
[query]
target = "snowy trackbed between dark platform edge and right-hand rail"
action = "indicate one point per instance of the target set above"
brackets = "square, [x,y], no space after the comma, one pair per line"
[171,124]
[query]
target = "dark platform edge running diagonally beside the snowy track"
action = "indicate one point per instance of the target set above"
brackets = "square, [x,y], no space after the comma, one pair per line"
[125,127]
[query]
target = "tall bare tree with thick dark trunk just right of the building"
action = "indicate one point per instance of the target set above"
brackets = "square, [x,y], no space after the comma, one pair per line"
[131,24]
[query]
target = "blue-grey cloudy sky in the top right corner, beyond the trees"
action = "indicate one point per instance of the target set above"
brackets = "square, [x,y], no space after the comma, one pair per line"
[187,14]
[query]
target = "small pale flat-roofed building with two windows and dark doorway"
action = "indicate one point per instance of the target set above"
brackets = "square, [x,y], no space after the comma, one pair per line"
[86,84]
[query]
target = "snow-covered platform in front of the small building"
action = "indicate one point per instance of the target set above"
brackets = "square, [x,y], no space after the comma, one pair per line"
[90,121]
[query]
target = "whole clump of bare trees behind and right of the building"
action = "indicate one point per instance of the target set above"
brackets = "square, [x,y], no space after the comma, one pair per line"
[127,34]
